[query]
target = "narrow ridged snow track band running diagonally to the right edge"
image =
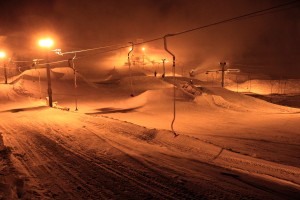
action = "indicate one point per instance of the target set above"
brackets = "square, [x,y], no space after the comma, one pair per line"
[198,149]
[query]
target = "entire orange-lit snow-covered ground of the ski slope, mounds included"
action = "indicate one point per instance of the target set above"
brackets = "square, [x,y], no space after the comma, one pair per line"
[118,146]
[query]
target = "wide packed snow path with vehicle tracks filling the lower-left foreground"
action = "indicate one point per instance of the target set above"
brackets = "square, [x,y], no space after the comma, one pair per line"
[65,155]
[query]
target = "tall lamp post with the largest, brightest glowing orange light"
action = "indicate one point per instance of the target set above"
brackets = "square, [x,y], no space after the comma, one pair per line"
[47,43]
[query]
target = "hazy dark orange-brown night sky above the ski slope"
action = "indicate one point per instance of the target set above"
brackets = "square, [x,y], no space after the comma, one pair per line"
[266,44]
